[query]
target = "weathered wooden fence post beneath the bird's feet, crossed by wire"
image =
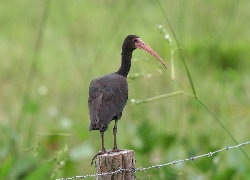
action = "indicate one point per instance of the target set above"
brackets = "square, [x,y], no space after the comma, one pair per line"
[113,161]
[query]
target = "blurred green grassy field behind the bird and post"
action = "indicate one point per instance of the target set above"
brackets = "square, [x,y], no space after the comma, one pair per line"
[51,50]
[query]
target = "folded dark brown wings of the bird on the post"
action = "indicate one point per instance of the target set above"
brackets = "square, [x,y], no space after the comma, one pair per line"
[106,102]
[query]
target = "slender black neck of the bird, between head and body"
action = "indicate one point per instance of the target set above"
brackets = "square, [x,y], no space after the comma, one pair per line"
[125,63]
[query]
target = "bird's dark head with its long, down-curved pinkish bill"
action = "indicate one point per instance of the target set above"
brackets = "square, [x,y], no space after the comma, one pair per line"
[133,42]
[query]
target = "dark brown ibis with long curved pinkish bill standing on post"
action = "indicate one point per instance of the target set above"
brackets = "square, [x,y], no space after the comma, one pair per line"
[108,94]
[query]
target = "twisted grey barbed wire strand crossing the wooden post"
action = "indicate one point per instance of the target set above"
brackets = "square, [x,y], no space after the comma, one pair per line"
[210,154]
